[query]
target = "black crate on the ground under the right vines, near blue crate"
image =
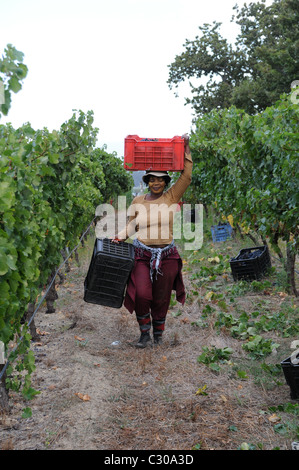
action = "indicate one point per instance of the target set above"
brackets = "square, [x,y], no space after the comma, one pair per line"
[251,263]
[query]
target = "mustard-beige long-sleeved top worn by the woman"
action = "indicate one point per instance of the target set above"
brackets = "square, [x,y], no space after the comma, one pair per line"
[152,221]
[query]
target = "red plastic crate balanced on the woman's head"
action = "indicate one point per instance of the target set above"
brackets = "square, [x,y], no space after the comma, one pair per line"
[154,154]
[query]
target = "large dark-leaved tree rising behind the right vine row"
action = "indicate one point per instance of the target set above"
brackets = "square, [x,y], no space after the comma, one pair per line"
[251,75]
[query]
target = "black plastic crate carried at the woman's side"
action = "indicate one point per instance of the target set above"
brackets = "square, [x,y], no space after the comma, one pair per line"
[108,273]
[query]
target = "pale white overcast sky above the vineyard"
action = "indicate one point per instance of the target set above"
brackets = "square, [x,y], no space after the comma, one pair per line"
[108,56]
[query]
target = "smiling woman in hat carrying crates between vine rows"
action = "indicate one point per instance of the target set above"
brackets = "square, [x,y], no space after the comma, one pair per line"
[157,268]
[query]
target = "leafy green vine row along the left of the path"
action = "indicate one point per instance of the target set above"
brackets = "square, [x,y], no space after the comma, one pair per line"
[50,186]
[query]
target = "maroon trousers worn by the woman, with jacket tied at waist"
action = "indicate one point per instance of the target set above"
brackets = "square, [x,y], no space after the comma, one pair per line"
[151,299]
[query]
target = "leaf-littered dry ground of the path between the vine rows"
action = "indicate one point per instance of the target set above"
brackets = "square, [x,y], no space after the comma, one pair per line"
[99,392]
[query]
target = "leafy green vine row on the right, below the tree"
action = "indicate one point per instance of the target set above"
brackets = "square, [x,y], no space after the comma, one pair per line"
[247,167]
